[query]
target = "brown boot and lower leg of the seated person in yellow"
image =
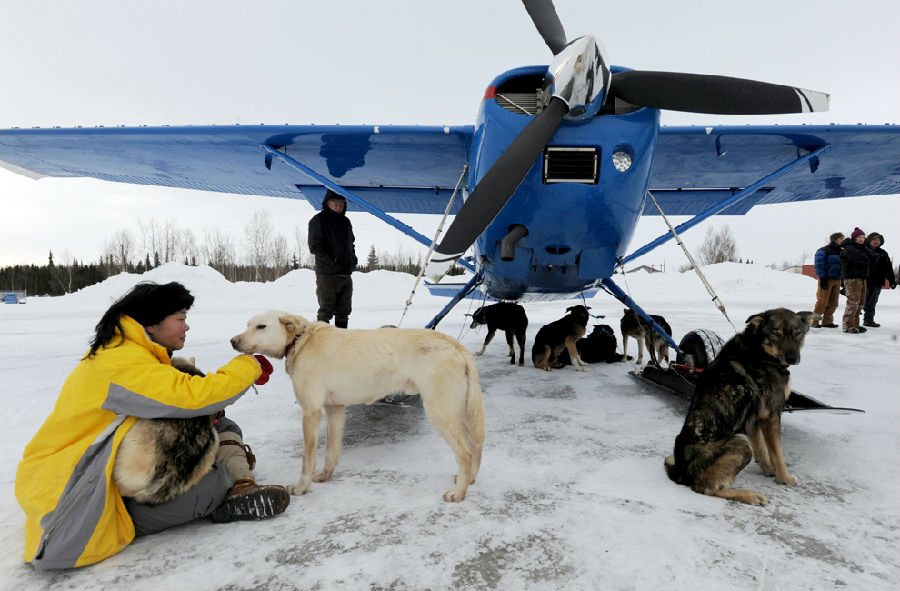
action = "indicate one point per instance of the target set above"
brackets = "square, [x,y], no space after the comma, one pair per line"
[246,501]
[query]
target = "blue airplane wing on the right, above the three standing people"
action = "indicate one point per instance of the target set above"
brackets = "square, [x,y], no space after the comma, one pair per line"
[697,167]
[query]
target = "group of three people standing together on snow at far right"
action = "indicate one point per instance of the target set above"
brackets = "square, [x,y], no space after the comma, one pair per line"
[858,268]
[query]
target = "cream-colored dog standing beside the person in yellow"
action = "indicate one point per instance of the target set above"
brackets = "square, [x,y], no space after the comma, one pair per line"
[332,367]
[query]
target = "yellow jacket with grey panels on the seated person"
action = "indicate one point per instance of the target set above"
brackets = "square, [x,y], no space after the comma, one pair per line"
[74,513]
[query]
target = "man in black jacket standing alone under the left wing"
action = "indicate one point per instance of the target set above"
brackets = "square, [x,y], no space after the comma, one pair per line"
[331,241]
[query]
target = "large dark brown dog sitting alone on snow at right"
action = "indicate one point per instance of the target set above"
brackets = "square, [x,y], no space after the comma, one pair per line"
[735,414]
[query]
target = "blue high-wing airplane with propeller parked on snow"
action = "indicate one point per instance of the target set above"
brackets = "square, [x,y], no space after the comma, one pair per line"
[547,185]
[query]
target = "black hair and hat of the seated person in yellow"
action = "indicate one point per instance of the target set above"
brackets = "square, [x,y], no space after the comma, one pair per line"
[148,303]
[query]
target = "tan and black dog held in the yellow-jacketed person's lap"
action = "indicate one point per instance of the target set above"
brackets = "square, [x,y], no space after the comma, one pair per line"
[159,459]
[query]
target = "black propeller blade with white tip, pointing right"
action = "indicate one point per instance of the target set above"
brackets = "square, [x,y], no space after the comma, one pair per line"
[720,95]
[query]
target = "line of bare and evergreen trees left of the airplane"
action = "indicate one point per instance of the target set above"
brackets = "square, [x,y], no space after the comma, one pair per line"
[265,256]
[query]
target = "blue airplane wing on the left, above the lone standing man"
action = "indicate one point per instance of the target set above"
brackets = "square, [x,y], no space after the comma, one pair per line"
[399,169]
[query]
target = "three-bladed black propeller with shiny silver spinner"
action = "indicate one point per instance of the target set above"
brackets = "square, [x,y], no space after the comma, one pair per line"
[580,83]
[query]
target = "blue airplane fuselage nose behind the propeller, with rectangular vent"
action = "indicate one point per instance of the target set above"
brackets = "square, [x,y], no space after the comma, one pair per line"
[575,212]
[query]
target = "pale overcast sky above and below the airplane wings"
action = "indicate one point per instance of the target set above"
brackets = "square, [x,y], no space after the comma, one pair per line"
[398,62]
